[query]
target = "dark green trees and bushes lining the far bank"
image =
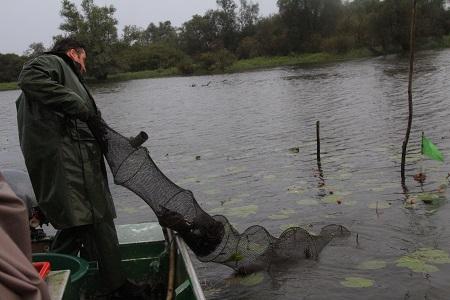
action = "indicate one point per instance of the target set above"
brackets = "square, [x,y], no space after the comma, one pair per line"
[214,40]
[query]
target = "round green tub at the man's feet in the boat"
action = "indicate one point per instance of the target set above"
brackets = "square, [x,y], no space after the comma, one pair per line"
[78,269]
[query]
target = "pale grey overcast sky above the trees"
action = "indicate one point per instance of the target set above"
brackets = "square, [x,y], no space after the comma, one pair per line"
[26,21]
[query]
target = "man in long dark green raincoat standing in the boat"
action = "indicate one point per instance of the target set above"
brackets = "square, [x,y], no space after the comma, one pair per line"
[65,162]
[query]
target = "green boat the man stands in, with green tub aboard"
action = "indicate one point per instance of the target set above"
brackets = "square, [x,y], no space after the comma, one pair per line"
[148,255]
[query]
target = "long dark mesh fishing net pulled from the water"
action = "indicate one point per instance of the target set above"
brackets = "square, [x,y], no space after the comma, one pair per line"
[211,238]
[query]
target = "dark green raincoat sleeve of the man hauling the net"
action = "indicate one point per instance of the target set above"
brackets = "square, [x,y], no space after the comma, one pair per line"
[40,80]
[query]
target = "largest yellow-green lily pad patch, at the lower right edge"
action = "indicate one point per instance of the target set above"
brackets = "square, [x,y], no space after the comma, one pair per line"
[422,260]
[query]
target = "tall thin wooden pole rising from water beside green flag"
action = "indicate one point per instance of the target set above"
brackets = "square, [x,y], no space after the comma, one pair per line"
[412,42]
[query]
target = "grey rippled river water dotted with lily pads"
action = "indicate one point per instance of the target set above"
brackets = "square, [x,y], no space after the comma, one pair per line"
[231,139]
